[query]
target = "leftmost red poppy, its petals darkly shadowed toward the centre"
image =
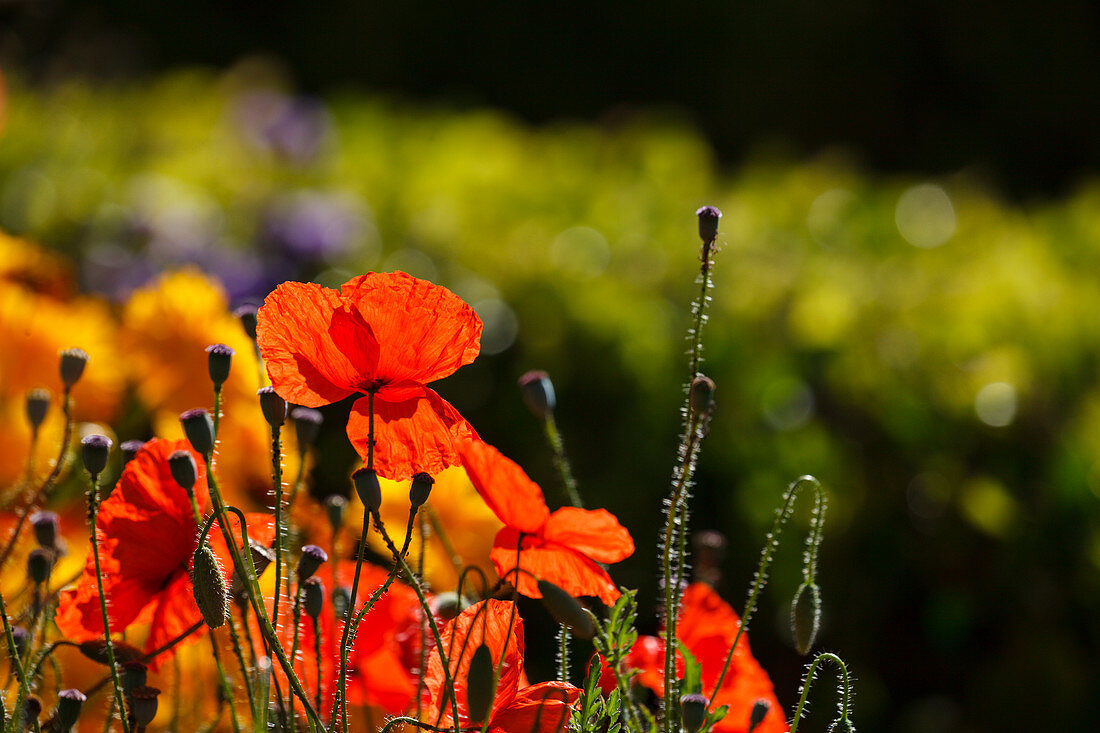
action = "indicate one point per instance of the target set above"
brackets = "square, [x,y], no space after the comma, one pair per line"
[147,535]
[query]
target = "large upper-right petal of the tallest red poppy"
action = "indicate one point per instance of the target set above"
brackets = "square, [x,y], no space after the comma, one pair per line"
[428,331]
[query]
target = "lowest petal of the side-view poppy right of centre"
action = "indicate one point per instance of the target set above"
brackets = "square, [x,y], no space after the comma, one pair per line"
[570,571]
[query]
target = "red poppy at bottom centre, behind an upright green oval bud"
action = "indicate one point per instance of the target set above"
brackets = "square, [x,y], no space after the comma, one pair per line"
[541,708]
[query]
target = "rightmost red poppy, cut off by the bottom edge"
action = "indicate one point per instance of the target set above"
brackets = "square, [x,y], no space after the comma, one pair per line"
[708,627]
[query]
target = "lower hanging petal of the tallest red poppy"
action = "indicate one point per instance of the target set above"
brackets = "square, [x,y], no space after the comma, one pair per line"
[415,435]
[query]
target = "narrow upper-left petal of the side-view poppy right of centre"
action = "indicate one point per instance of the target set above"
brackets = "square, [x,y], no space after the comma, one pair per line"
[514,498]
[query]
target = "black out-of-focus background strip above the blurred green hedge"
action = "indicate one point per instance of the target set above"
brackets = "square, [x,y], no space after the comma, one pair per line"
[927,86]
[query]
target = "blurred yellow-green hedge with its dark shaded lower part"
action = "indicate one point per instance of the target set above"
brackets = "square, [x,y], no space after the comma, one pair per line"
[926,351]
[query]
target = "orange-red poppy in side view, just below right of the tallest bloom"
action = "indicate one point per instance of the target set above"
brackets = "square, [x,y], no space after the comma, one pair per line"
[565,548]
